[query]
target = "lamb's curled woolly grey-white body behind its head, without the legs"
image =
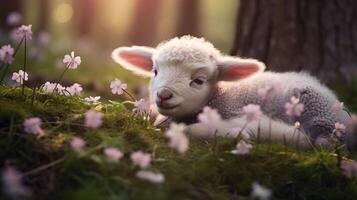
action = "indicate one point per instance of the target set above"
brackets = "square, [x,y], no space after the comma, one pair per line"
[317,119]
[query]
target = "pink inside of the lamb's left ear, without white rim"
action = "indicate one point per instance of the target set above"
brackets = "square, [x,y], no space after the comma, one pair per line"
[143,62]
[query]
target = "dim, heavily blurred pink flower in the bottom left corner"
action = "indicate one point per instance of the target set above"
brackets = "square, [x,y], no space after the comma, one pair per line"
[12,181]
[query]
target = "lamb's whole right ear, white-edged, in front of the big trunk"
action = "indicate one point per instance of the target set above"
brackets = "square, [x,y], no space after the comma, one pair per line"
[232,68]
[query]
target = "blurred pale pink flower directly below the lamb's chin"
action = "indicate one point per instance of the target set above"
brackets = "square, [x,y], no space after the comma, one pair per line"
[177,137]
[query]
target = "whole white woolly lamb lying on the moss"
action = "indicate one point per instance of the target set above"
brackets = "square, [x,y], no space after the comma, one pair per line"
[189,73]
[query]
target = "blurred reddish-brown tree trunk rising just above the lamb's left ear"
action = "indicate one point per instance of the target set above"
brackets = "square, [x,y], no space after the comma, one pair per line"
[145,22]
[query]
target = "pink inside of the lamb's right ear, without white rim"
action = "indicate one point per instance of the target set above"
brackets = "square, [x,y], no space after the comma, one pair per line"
[233,73]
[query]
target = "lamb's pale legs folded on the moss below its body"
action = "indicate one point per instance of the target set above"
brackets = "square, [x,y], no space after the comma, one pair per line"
[269,130]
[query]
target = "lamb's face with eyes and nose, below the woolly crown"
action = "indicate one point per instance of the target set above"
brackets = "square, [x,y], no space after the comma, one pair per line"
[182,89]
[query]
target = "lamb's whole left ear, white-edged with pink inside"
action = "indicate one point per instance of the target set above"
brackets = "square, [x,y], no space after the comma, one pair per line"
[136,58]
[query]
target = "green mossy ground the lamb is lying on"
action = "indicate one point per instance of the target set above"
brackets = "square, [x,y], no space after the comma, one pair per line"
[206,171]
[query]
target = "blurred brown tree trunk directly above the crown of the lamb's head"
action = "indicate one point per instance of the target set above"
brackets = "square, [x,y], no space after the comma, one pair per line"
[188,18]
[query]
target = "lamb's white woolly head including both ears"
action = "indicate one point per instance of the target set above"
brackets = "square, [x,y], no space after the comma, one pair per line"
[184,72]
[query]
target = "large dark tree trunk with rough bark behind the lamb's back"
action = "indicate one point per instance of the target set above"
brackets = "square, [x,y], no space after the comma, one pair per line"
[319,36]
